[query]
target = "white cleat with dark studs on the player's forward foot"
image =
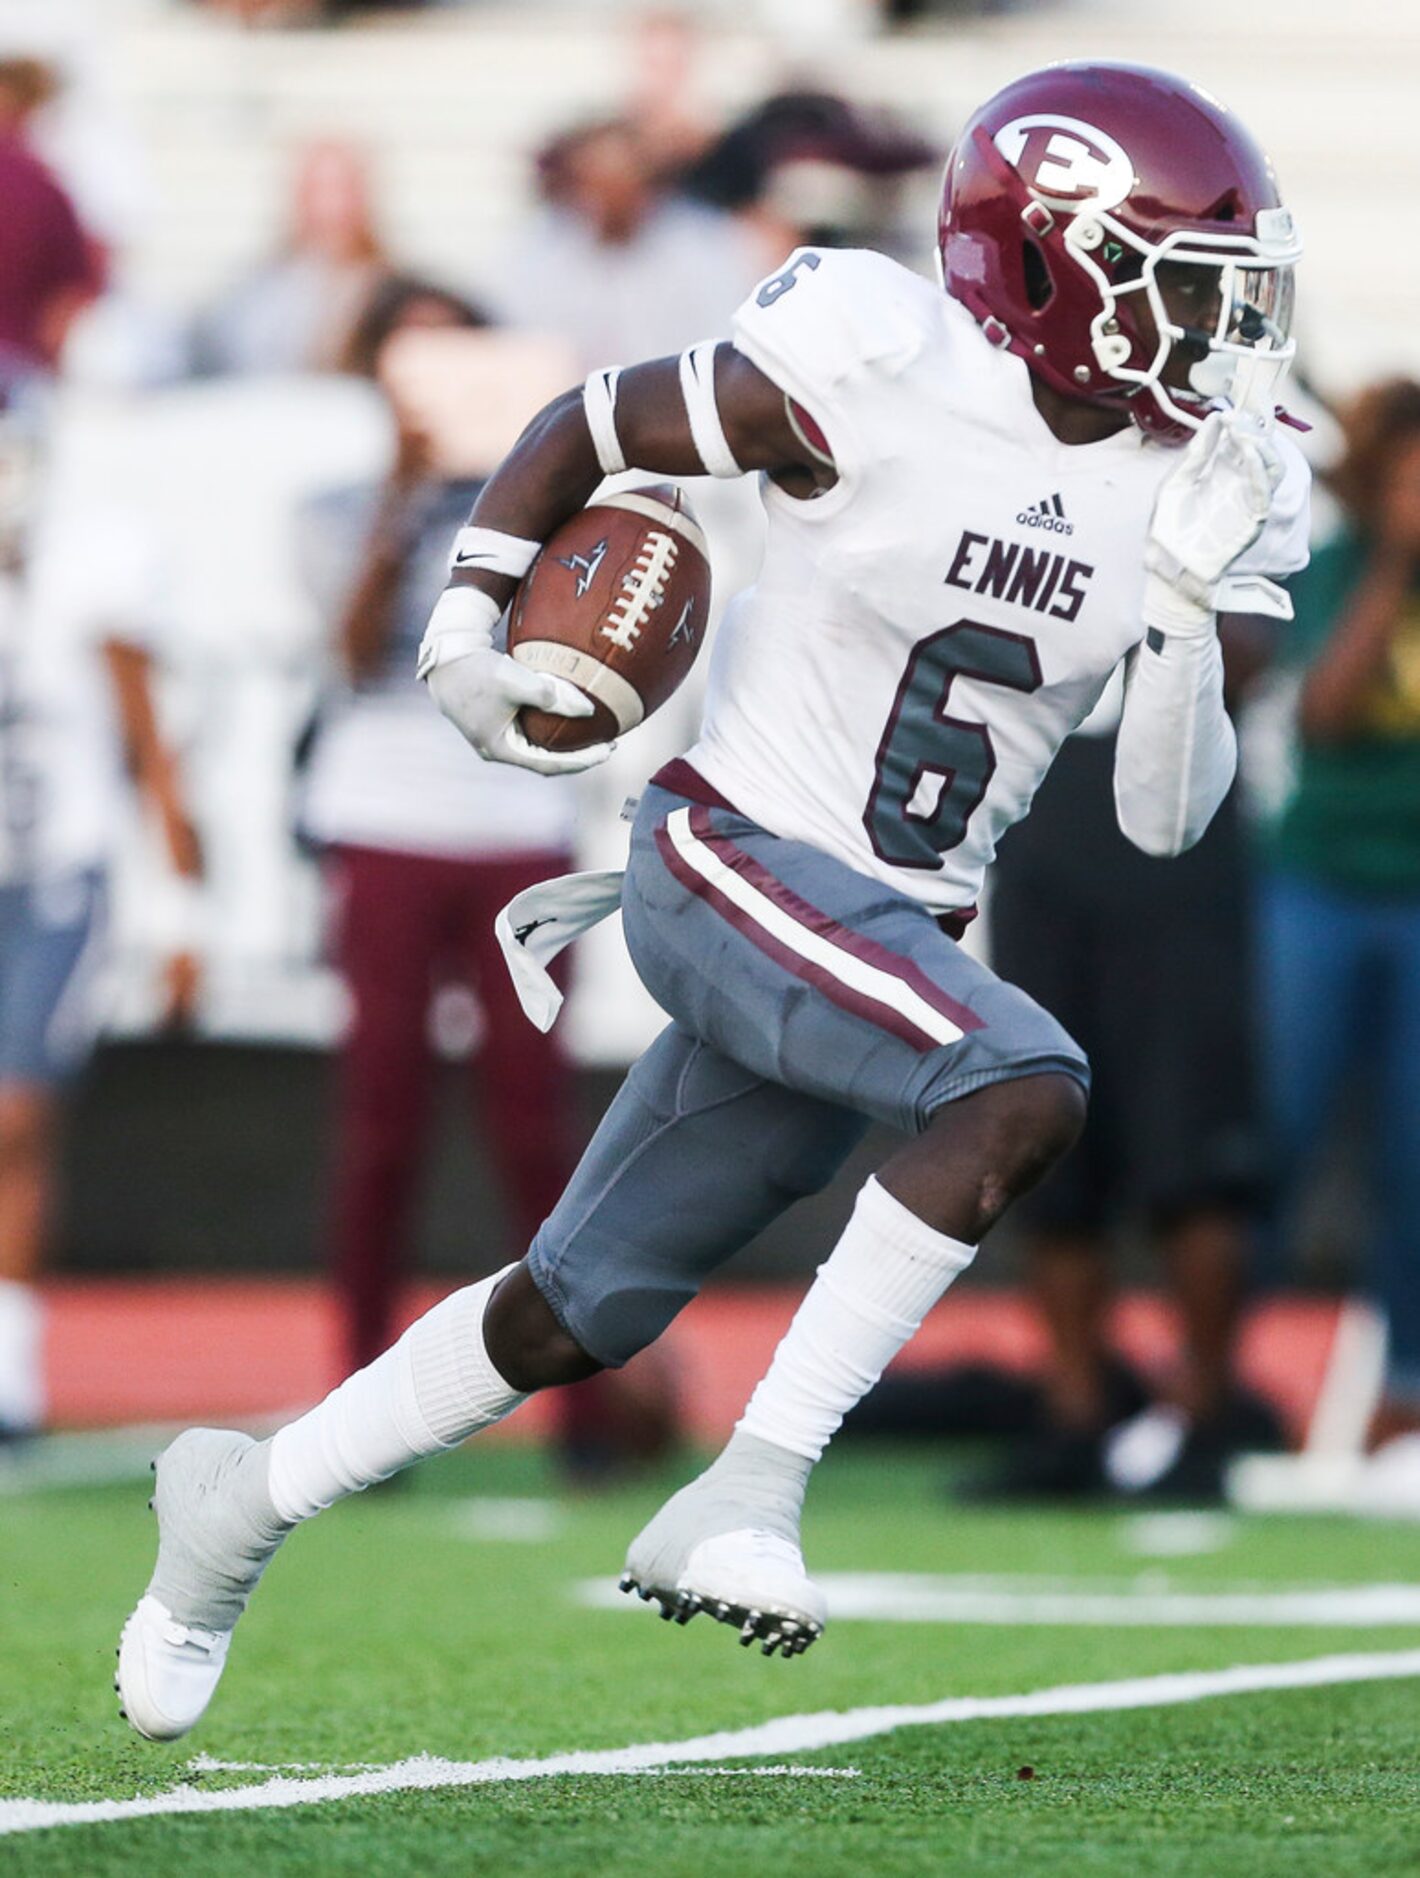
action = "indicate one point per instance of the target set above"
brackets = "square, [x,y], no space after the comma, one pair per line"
[702,1556]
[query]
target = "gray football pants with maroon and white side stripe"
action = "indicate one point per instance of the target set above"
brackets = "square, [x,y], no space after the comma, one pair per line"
[807,1000]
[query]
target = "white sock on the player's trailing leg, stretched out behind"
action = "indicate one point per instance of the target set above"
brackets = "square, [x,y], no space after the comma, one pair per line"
[435,1389]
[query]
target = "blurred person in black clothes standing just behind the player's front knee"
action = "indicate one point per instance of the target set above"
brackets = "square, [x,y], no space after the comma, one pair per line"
[1147,962]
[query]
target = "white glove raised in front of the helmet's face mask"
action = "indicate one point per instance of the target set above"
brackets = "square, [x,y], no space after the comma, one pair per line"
[1211,508]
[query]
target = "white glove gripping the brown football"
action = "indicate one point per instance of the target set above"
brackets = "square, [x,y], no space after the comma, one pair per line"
[482,690]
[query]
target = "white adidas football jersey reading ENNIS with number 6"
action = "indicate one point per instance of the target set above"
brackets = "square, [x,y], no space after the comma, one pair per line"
[927,634]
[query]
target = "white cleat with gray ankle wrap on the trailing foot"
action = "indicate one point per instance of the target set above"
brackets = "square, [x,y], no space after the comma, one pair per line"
[217,1533]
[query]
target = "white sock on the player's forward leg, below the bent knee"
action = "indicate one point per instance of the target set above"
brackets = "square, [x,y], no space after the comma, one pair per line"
[871,1297]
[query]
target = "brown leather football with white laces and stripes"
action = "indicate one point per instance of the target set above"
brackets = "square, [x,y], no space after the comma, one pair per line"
[617,602]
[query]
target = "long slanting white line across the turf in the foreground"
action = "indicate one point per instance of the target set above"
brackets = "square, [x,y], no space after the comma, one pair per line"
[788,1734]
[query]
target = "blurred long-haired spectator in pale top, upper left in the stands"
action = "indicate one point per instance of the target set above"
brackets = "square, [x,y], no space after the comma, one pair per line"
[298,313]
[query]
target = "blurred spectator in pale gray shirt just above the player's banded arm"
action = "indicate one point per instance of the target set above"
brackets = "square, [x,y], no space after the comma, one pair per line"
[615,264]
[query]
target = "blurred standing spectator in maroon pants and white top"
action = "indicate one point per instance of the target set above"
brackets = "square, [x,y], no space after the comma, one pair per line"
[424,846]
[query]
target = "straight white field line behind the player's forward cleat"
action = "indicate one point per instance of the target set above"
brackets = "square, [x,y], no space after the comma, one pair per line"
[1111,1605]
